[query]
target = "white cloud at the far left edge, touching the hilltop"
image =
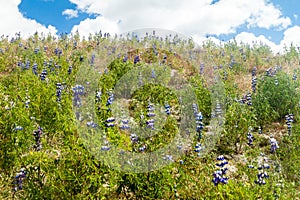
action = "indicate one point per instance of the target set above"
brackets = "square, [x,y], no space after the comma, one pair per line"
[13,21]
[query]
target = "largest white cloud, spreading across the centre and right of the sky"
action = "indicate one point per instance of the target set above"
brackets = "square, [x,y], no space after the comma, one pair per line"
[189,17]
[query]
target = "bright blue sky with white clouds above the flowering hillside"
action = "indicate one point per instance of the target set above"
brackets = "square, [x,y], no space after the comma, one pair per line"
[275,23]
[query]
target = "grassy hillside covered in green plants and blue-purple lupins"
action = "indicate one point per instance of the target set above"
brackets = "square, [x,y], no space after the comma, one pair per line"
[231,112]
